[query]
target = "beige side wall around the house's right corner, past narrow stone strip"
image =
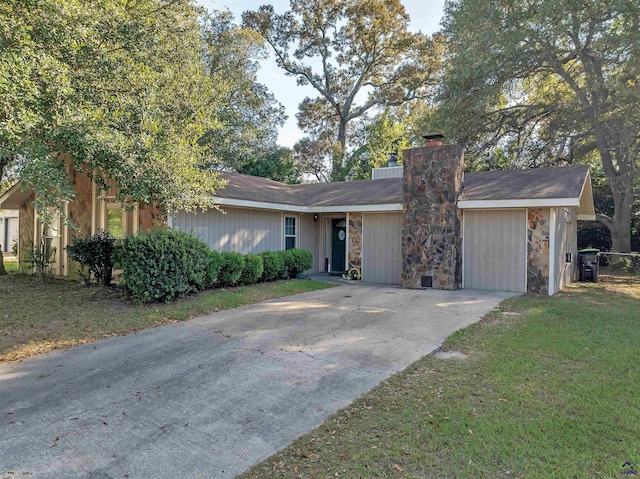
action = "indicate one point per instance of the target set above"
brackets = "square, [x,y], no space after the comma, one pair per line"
[565,241]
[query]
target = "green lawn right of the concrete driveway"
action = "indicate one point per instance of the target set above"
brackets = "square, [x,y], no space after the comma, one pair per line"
[551,392]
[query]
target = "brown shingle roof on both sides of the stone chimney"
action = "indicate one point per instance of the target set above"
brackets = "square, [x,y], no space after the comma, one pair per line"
[539,183]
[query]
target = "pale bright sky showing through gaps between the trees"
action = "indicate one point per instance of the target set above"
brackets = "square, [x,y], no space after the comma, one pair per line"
[425,16]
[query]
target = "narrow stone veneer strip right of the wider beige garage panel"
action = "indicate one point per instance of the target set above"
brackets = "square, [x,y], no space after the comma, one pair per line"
[538,221]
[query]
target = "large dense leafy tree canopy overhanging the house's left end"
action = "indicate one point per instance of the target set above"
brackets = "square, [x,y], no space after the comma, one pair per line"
[121,87]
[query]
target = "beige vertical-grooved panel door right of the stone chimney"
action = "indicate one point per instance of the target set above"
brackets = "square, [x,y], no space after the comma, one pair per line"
[494,250]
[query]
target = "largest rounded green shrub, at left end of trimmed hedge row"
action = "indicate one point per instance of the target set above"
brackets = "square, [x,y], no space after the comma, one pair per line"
[162,265]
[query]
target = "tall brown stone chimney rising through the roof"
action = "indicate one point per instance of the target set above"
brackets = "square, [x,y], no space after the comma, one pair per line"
[431,234]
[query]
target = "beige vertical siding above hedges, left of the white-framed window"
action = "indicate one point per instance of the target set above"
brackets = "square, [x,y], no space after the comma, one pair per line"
[241,230]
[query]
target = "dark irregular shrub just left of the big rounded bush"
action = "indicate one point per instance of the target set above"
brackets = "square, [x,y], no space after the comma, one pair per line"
[94,253]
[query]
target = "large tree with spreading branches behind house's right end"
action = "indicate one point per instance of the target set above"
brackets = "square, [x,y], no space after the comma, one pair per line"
[546,81]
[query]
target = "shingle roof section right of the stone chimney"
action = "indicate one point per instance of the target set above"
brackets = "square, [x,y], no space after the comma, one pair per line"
[538,183]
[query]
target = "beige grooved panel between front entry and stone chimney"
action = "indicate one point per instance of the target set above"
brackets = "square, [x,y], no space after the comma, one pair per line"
[382,247]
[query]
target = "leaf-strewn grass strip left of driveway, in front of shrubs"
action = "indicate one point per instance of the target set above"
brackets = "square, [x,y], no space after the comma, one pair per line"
[40,317]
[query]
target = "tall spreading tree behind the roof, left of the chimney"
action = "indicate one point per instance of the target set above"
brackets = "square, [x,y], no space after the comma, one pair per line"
[357,54]
